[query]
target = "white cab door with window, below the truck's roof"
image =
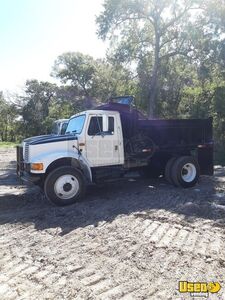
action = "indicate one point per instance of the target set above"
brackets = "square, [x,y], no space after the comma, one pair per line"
[102,147]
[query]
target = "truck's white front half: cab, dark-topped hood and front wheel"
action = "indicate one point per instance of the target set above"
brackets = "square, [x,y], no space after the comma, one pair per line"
[63,165]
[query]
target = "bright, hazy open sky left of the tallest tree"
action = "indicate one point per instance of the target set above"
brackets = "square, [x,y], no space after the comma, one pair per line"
[34,32]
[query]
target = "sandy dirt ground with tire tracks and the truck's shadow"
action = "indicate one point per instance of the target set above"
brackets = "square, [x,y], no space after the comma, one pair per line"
[131,239]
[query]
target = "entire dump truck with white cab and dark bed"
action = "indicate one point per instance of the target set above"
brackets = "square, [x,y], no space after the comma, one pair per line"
[111,140]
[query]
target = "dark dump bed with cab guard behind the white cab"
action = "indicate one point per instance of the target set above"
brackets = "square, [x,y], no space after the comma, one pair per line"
[170,137]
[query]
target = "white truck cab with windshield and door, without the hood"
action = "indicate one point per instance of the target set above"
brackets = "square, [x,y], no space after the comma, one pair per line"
[99,137]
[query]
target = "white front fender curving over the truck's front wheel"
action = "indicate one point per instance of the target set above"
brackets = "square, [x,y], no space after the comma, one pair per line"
[49,158]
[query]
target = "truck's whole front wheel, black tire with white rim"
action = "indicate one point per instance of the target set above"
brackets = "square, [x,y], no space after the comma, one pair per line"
[64,186]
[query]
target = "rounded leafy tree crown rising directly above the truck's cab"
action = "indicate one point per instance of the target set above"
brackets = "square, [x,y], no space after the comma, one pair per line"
[92,78]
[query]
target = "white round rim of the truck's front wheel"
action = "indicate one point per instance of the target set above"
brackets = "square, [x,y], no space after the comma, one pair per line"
[66,186]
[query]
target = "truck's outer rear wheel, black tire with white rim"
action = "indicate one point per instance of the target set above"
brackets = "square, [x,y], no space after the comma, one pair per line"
[185,171]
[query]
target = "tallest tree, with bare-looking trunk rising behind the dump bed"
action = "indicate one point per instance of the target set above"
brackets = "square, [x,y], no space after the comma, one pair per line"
[152,29]
